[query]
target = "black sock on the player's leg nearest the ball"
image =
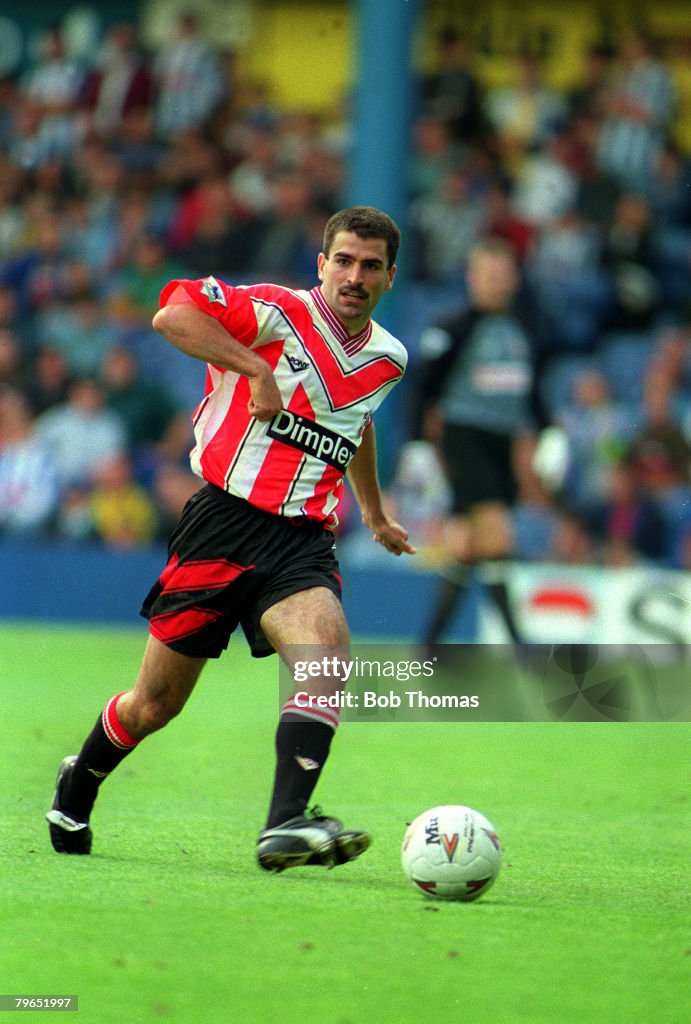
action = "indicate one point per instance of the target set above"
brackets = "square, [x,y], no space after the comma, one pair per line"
[303,748]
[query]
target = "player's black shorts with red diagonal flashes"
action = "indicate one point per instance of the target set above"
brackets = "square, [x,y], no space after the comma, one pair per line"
[229,563]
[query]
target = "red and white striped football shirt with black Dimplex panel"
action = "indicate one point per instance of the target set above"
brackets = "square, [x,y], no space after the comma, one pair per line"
[331,385]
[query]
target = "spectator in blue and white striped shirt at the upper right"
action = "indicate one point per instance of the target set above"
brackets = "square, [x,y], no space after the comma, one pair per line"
[639,109]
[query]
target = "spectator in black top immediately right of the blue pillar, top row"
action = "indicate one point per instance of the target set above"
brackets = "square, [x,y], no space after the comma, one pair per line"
[452,93]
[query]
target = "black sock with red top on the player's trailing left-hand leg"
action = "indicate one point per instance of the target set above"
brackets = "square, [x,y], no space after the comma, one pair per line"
[106,747]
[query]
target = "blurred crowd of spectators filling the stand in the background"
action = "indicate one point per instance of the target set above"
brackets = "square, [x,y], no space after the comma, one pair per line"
[104,194]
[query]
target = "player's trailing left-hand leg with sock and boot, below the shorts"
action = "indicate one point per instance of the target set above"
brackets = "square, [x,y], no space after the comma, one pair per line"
[164,685]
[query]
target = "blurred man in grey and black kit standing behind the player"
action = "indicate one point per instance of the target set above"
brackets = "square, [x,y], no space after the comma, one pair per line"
[479,403]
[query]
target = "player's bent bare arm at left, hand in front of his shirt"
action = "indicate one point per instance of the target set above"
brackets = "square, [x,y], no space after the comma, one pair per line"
[203,337]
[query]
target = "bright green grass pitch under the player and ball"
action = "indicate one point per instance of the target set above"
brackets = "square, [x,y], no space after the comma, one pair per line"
[171,920]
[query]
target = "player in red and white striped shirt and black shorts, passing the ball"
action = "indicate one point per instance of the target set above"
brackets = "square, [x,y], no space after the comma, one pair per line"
[293,381]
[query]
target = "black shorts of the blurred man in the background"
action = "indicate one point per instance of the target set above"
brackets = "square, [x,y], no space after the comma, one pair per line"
[480,467]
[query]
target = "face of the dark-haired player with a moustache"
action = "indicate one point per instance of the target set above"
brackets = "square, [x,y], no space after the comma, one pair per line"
[355,276]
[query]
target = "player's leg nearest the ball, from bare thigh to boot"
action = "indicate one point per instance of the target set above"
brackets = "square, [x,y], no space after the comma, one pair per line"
[310,623]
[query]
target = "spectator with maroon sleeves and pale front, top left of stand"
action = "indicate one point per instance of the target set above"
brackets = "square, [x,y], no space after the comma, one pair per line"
[120,84]
